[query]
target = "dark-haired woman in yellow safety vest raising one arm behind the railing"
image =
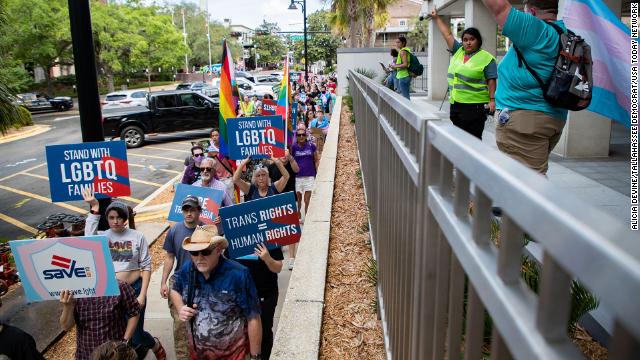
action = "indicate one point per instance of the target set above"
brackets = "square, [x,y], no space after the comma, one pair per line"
[472,79]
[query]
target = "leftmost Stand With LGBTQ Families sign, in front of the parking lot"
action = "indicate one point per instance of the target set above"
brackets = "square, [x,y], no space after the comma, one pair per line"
[101,166]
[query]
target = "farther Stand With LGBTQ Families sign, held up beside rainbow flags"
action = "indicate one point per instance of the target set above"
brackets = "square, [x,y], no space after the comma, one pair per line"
[259,137]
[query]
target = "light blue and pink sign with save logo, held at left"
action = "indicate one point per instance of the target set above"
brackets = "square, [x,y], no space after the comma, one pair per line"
[82,265]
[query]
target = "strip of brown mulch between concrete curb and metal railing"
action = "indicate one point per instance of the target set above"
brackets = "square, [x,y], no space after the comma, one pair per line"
[350,327]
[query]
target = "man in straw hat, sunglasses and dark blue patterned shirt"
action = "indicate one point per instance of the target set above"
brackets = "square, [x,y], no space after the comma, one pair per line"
[218,300]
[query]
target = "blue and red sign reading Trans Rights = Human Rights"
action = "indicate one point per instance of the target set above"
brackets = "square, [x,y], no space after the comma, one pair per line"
[271,220]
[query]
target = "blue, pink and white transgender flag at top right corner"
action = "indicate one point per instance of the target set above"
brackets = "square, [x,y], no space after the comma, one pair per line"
[609,39]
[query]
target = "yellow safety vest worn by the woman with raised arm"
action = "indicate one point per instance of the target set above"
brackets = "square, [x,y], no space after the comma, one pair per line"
[466,80]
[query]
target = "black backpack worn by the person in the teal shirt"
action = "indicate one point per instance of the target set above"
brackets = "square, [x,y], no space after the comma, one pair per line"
[571,83]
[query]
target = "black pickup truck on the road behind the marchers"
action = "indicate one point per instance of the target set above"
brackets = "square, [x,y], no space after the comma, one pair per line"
[168,111]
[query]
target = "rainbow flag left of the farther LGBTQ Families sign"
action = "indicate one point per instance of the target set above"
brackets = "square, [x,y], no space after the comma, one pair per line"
[228,96]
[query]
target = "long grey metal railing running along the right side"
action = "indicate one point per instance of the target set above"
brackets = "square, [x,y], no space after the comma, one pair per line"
[438,268]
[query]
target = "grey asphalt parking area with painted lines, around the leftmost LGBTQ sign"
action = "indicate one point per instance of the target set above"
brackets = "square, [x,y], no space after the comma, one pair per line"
[25,199]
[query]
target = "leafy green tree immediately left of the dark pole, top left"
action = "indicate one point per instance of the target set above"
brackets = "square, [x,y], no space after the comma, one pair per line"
[40,34]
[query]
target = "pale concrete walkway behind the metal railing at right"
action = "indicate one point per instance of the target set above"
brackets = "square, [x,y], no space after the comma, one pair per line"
[597,188]
